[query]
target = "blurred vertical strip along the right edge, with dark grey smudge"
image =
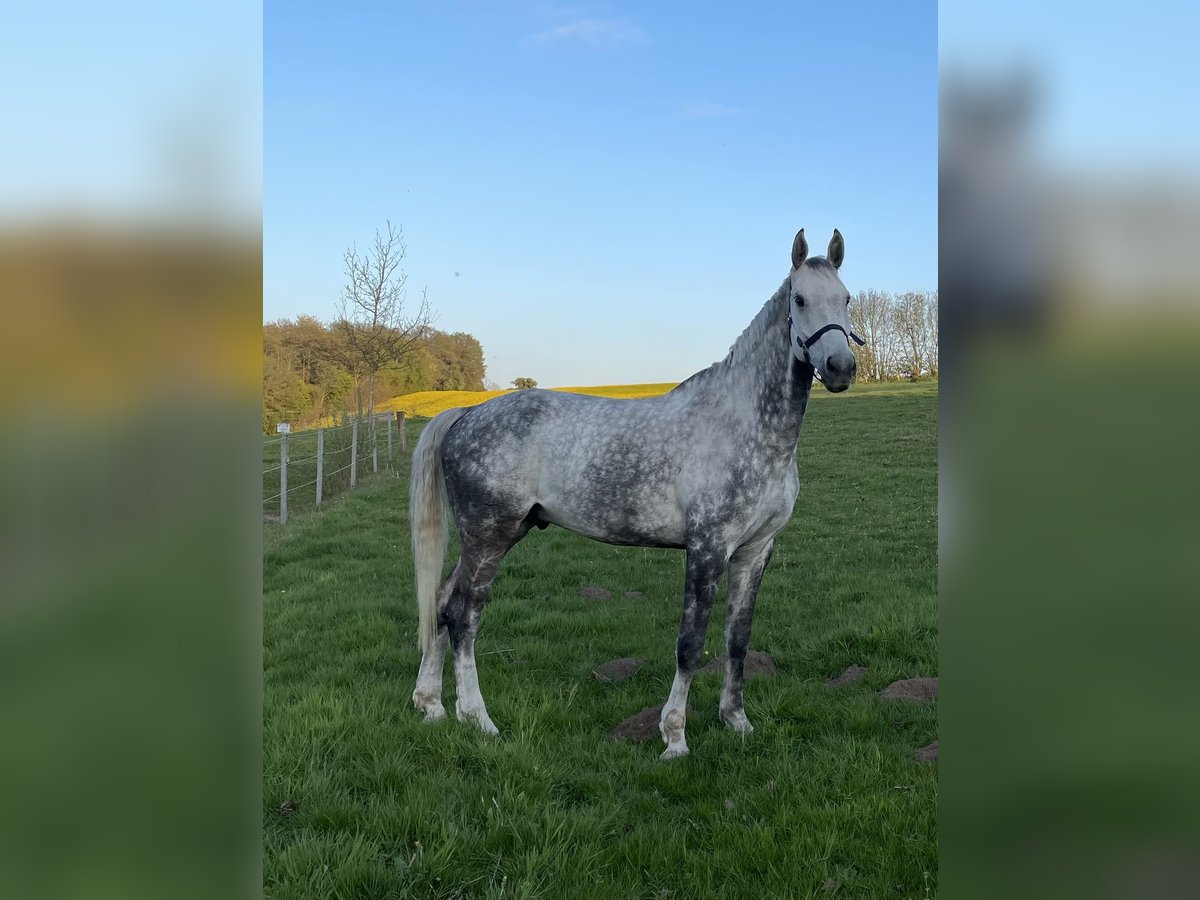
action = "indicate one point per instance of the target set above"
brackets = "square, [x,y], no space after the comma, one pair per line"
[1070,220]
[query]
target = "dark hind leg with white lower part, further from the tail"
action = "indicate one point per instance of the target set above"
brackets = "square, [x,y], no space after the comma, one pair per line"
[460,617]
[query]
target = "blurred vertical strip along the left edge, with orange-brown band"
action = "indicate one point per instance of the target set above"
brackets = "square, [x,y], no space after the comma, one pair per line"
[130,364]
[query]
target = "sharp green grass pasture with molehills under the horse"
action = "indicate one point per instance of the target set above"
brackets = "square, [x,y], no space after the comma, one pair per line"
[824,800]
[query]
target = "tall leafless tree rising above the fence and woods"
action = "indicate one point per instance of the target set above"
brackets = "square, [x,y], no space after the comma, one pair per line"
[379,326]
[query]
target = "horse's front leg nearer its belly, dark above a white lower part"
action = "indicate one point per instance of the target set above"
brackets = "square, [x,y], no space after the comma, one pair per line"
[705,568]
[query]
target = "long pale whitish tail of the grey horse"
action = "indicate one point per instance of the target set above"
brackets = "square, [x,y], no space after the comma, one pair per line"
[428,523]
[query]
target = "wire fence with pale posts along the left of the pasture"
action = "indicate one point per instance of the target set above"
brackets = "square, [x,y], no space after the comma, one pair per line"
[302,471]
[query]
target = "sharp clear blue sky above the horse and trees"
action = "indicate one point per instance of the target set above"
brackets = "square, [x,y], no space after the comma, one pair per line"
[601,193]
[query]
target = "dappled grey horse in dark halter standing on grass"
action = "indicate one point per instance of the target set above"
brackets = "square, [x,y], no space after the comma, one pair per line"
[709,469]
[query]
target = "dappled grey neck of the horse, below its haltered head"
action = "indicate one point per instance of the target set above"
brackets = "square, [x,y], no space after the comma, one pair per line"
[763,373]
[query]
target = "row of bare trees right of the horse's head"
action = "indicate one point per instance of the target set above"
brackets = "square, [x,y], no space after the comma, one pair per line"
[901,332]
